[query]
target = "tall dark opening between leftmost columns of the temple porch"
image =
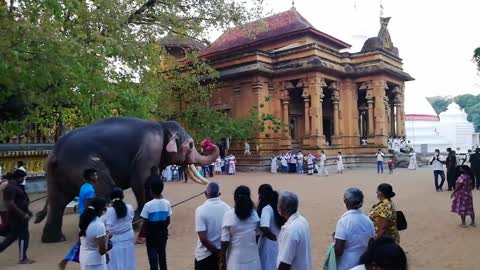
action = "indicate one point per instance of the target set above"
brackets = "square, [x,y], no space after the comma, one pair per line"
[296,117]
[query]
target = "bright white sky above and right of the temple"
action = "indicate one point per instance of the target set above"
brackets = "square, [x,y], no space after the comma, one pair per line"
[436,38]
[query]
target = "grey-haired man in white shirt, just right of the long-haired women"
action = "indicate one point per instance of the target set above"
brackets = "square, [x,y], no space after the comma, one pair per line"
[294,247]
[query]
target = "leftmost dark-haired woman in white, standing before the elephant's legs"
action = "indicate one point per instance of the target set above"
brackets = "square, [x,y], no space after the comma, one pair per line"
[93,237]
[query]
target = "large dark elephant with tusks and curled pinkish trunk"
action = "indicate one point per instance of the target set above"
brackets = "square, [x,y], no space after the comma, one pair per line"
[122,150]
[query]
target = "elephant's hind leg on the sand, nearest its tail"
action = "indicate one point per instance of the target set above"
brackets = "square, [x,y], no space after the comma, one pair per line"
[57,201]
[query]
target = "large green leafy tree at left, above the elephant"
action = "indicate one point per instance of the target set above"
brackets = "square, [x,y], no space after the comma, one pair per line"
[74,62]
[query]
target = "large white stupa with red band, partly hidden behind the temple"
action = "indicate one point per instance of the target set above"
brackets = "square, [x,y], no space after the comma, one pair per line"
[422,125]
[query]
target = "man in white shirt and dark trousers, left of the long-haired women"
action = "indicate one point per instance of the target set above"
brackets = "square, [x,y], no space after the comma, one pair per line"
[208,225]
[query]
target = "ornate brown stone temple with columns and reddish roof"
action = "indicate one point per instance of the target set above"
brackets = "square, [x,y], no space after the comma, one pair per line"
[325,97]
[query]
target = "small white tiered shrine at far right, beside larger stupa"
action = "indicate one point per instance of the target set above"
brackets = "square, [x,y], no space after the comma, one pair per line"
[456,128]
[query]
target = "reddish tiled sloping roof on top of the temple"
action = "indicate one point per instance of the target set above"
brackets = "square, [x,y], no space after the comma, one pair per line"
[272,27]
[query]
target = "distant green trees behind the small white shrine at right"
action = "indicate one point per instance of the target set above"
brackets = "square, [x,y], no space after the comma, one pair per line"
[470,103]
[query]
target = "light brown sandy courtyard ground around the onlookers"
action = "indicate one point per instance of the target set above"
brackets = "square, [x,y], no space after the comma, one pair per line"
[433,240]
